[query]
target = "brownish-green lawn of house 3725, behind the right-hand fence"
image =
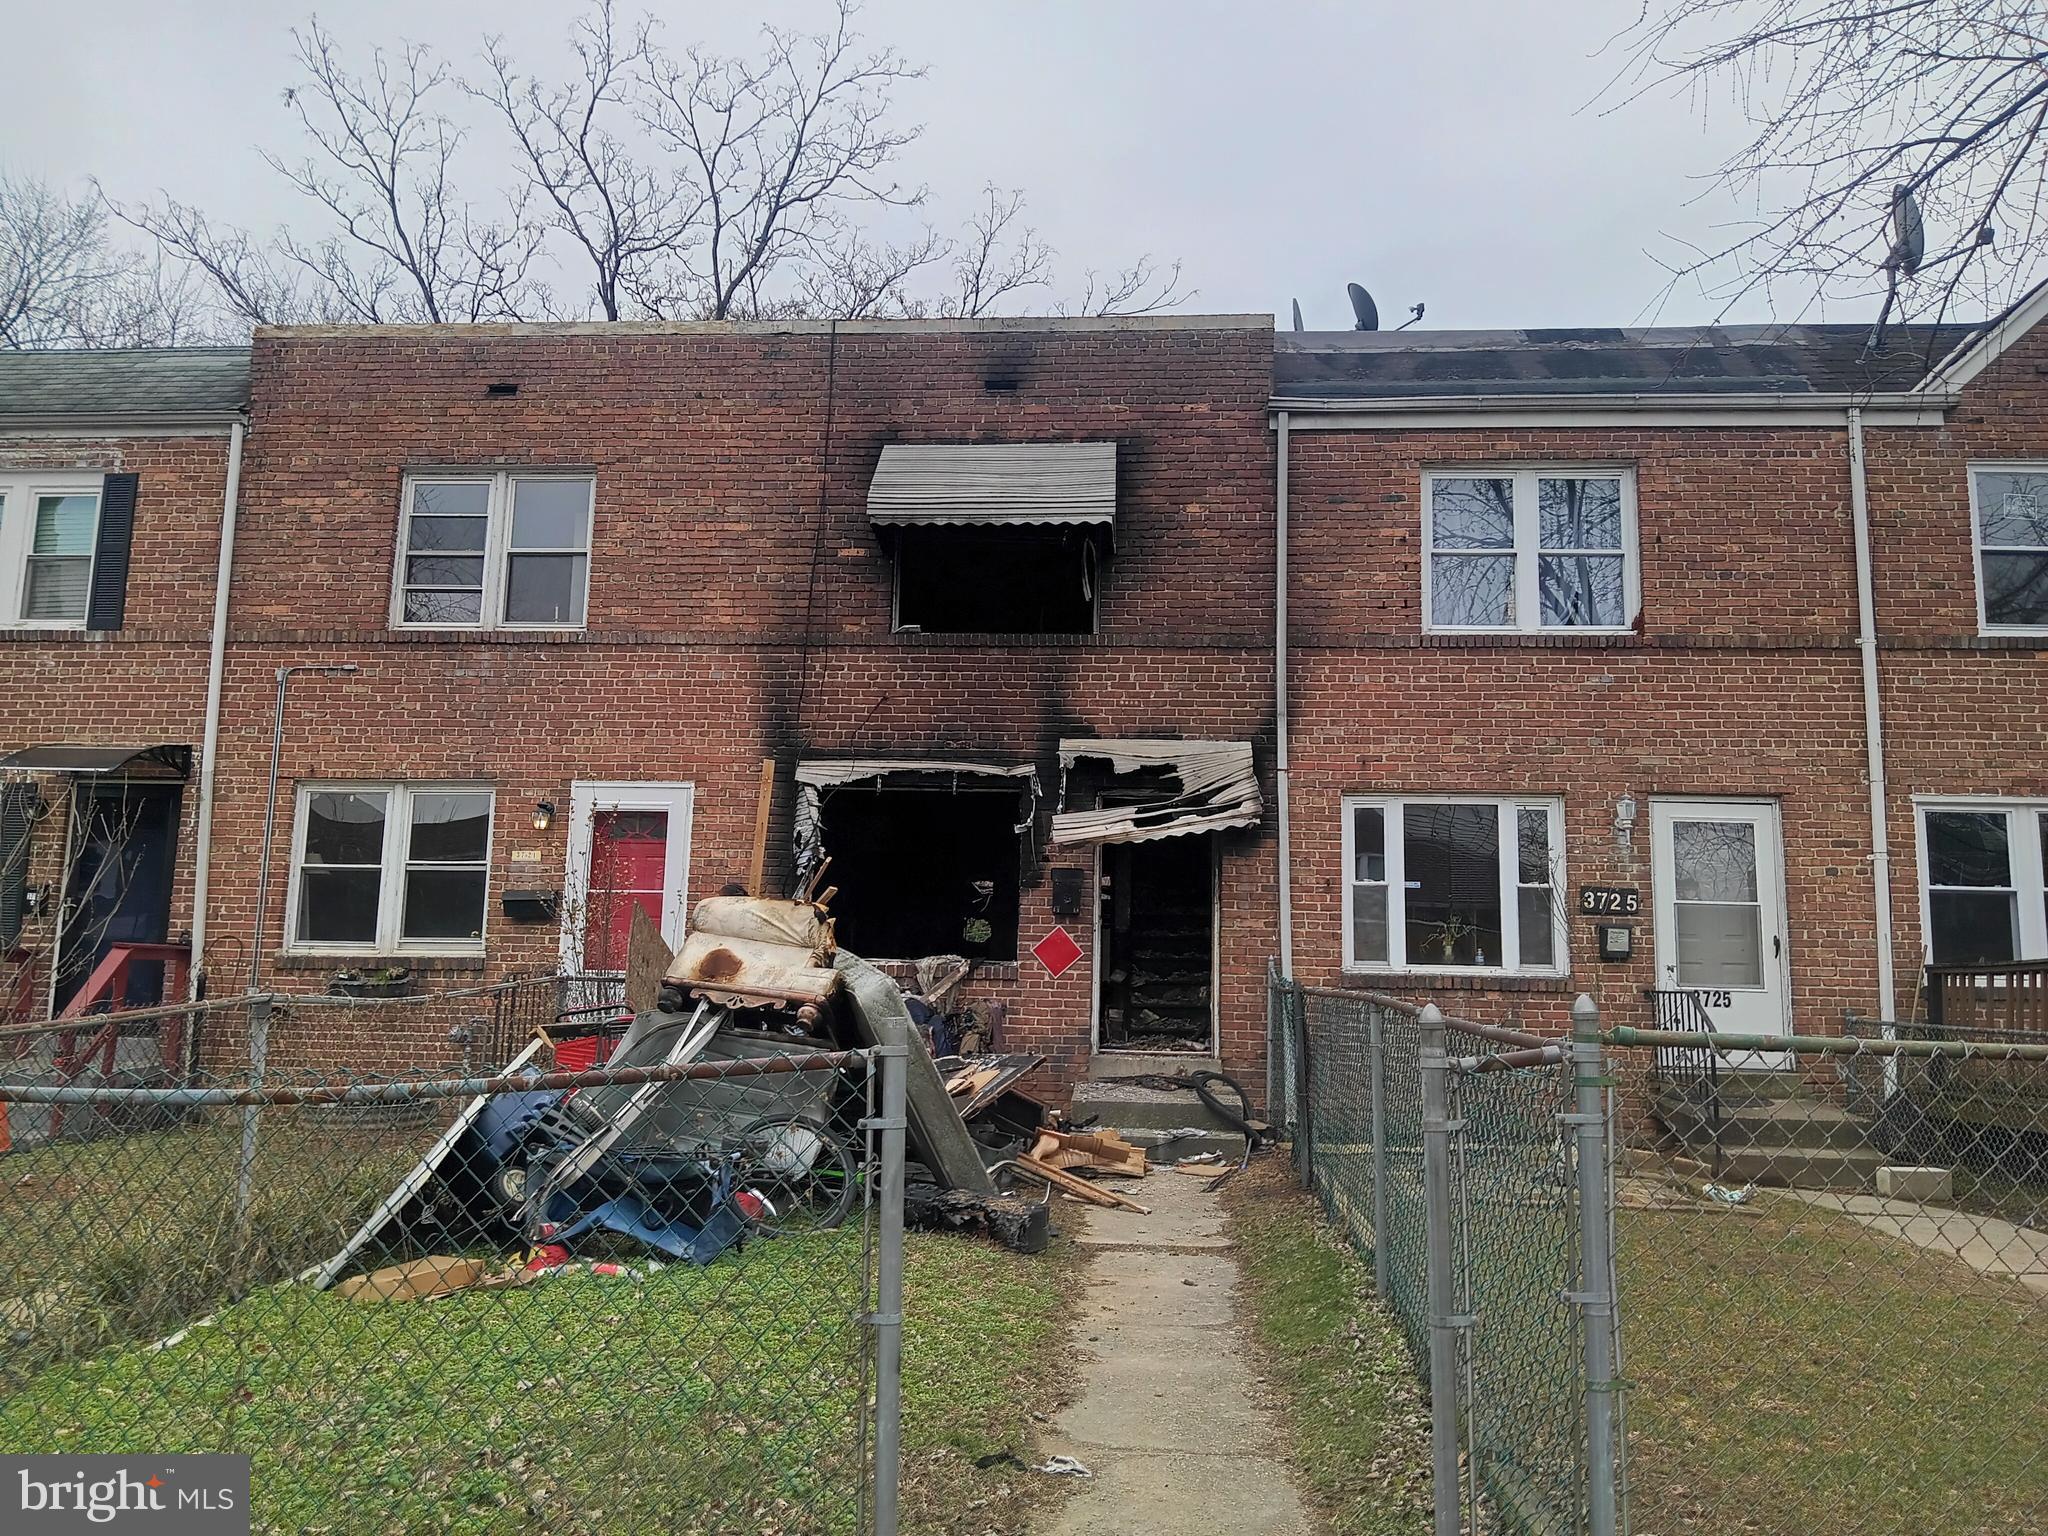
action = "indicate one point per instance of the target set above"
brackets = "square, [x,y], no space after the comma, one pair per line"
[1793,1367]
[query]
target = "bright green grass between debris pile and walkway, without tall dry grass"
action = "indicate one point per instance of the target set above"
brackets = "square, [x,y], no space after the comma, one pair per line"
[699,1400]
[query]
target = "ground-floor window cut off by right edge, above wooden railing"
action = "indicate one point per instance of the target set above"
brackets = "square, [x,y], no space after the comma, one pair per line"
[1986,882]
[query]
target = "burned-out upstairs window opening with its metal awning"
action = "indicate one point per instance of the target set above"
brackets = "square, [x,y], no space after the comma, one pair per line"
[996,538]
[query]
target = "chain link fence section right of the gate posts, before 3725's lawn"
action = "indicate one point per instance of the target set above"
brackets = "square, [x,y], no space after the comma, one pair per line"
[1834,1279]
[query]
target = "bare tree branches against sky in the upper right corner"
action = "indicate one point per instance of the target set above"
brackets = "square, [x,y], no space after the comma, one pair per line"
[1852,101]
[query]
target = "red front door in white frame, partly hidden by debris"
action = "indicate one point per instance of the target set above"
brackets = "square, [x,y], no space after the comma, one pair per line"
[630,849]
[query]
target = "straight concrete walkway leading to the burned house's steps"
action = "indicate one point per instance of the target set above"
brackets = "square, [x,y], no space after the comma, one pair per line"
[1166,1418]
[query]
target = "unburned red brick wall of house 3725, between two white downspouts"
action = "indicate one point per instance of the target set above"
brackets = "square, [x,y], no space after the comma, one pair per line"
[1742,683]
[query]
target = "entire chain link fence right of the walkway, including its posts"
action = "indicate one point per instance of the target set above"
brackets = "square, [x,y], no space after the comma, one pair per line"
[1826,1258]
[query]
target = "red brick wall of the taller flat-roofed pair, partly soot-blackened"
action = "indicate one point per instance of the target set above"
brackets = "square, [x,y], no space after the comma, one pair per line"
[728,620]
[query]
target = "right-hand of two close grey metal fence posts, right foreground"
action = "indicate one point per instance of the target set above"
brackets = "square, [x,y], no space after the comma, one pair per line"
[1596,1261]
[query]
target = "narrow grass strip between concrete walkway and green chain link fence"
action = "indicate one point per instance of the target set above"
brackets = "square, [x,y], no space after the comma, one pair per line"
[1349,1396]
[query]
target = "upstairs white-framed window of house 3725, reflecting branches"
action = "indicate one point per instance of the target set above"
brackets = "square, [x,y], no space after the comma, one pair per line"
[1529,550]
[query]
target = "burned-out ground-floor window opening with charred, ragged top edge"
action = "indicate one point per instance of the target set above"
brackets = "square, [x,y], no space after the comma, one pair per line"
[927,857]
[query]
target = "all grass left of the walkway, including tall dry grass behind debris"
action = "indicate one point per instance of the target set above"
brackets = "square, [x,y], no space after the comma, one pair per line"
[722,1400]
